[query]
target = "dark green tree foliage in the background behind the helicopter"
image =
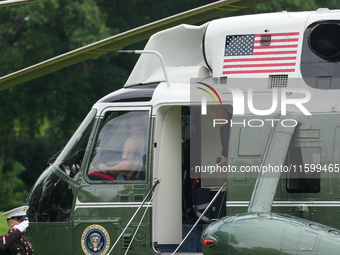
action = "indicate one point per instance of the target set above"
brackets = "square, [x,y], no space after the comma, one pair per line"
[39,116]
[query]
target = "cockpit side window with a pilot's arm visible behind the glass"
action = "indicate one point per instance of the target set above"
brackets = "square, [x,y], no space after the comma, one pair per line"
[120,149]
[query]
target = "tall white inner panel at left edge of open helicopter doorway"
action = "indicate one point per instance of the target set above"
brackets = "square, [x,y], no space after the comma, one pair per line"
[167,213]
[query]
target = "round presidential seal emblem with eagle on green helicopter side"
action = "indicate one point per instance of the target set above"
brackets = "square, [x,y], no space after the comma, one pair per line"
[95,240]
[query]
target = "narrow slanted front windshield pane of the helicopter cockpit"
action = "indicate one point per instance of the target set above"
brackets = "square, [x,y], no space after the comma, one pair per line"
[71,157]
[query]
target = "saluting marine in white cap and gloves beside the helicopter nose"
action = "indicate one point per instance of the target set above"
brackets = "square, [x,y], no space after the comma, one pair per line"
[14,243]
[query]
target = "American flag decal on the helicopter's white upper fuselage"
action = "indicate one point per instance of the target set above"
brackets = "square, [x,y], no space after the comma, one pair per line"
[260,53]
